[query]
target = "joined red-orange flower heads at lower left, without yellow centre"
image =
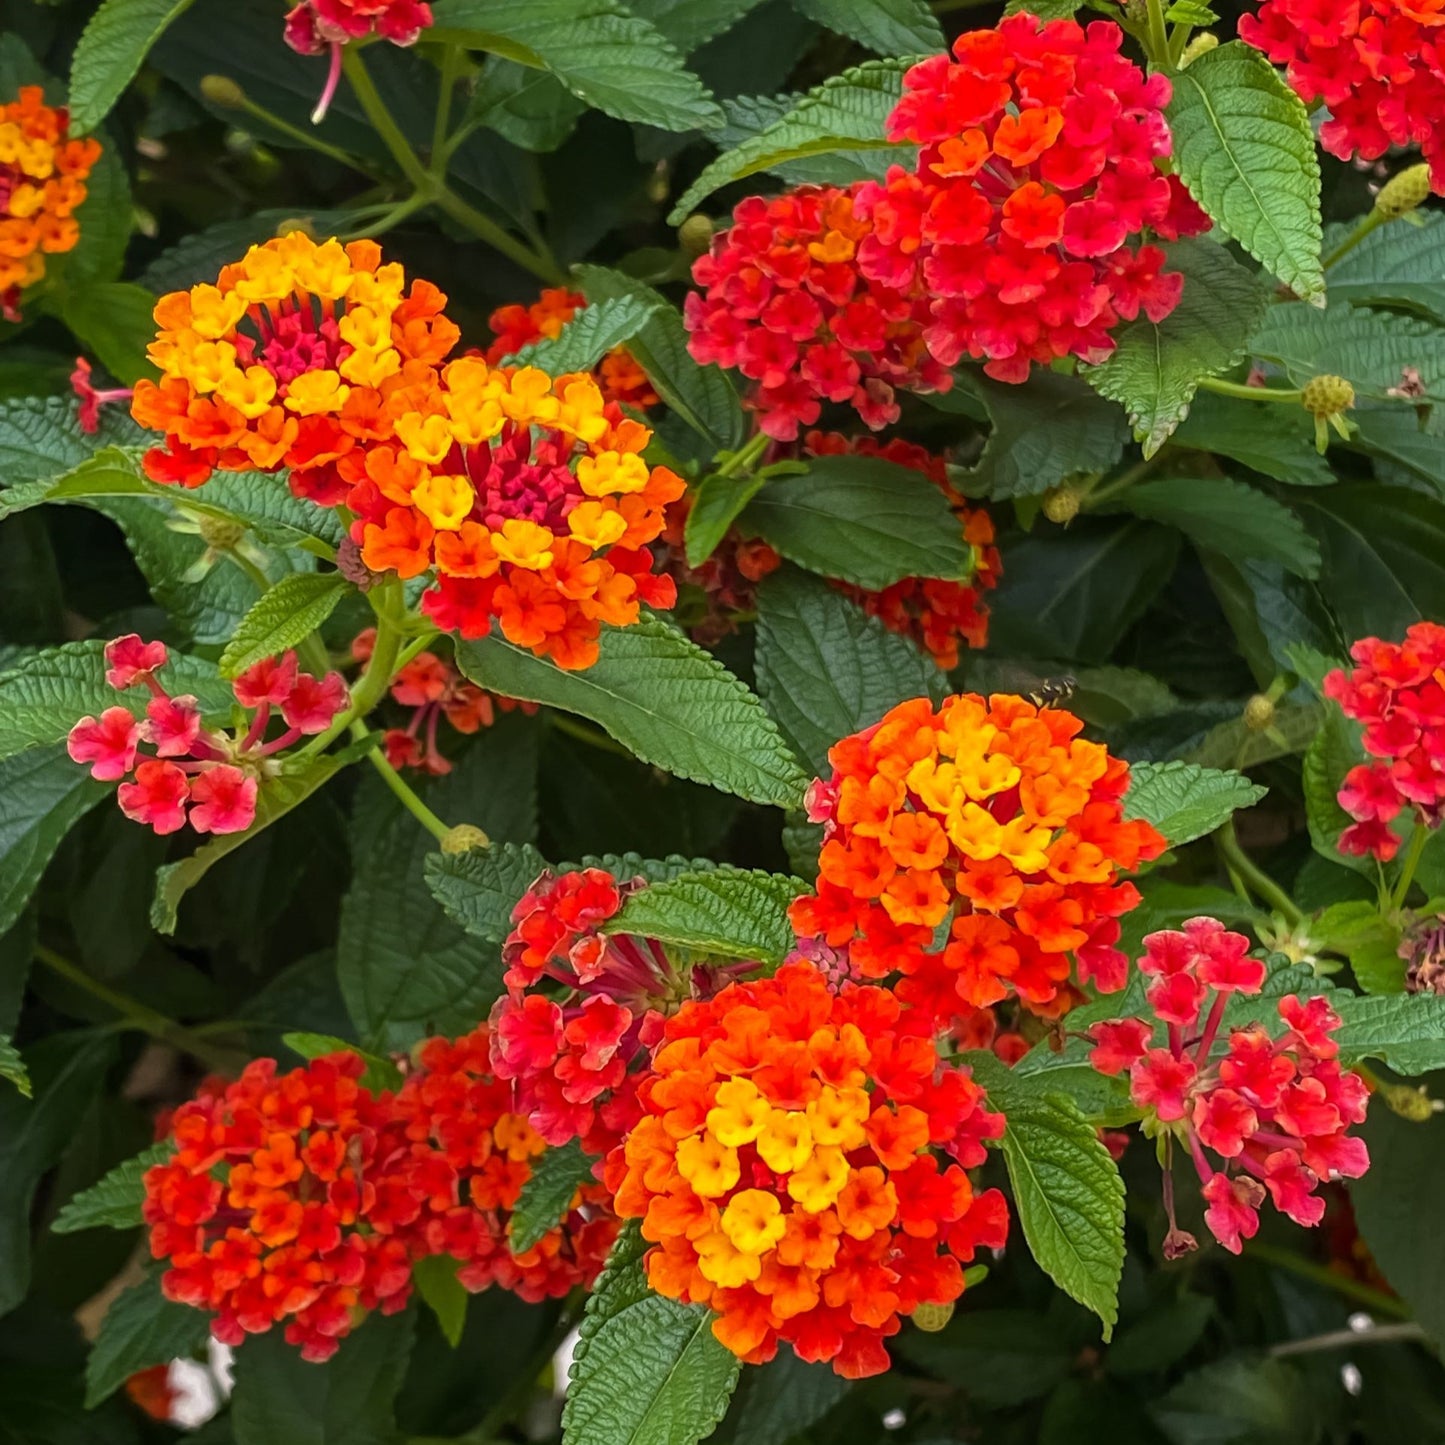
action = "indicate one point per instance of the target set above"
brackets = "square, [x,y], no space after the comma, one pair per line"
[307,1199]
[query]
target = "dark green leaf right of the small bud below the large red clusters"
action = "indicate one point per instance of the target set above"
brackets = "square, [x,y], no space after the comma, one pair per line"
[1230,518]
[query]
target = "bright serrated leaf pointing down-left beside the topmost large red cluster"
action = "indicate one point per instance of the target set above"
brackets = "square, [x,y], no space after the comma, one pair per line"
[845,113]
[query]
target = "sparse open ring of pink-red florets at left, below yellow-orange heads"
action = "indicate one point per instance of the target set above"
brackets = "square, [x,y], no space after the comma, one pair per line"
[199,775]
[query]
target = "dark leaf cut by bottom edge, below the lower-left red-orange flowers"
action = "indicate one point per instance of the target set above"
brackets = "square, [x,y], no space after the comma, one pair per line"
[282,1399]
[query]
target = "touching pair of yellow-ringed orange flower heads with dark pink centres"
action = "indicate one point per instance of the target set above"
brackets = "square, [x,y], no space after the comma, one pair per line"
[525,498]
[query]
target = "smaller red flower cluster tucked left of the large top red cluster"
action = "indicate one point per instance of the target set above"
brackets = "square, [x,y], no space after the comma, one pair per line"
[785,303]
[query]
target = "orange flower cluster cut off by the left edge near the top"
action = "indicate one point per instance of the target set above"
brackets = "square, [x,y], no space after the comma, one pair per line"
[43,181]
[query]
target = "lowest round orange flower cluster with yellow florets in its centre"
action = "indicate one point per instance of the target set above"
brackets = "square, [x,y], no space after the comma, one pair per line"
[785,1168]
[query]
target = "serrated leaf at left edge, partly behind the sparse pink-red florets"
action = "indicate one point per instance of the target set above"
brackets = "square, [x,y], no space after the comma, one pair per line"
[48,693]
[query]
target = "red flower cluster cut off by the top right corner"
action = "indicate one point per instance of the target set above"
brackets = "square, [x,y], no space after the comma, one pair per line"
[1378,64]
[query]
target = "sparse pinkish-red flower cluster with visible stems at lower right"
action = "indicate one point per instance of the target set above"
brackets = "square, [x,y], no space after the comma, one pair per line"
[1278,1112]
